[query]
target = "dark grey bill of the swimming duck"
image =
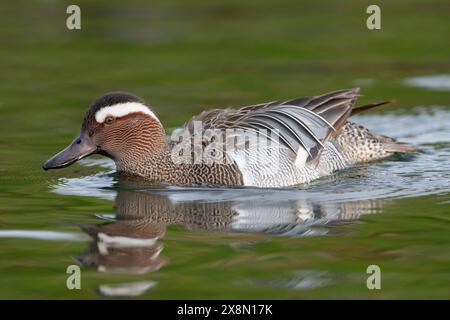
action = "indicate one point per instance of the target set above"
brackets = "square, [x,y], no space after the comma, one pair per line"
[80,148]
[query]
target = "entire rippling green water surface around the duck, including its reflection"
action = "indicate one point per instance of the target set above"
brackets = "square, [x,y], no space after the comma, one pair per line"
[151,242]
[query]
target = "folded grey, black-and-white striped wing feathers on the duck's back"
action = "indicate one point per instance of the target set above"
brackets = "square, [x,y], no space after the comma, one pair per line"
[305,123]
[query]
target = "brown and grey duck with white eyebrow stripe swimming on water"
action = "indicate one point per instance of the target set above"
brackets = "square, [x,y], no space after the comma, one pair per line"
[267,145]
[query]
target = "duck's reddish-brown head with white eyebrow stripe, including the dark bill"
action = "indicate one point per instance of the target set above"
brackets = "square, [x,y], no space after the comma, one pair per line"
[118,125]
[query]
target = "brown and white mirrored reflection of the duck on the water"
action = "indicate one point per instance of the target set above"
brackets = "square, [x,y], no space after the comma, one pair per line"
[128,243]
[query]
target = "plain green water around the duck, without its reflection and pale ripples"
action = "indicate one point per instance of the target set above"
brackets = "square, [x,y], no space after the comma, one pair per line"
[185,56]
